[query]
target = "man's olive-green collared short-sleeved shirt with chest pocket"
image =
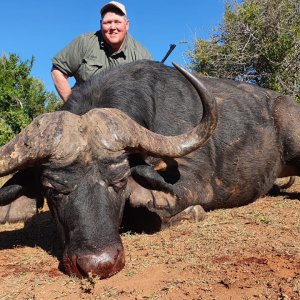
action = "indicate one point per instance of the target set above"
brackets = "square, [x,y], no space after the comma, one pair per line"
[88,54]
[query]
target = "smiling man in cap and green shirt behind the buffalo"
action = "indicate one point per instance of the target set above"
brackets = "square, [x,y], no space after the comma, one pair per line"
[90,53]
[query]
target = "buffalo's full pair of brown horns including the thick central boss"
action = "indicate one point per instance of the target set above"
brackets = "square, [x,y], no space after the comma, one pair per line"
[61,137]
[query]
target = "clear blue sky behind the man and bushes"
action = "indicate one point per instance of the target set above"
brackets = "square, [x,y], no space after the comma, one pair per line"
[42,28]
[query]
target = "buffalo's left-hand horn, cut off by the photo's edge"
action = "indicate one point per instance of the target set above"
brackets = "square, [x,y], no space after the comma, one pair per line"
[39,142]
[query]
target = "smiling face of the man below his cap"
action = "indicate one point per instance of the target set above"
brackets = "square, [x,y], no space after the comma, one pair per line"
[114,29]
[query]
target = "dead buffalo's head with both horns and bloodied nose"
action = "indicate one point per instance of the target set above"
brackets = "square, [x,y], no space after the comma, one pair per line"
[84,168]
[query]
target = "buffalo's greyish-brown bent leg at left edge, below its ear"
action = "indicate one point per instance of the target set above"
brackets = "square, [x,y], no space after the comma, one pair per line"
[19,210]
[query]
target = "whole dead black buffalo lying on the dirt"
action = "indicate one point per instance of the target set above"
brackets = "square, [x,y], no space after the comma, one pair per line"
[148,145]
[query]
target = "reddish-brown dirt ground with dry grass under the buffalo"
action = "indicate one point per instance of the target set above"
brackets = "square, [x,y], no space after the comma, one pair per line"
[251,252]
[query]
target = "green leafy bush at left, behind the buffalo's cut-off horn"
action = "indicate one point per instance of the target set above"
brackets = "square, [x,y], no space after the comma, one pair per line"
[22,97]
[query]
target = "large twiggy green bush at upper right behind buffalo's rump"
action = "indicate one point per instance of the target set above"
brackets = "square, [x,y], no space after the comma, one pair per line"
[258,40]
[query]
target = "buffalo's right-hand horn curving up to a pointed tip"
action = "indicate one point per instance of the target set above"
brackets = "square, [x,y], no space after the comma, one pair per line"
[127,134]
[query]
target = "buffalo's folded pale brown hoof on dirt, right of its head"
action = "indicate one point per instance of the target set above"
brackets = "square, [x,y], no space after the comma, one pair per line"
[192,214]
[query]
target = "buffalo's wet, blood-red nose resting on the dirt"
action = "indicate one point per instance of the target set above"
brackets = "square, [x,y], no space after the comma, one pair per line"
[105,264]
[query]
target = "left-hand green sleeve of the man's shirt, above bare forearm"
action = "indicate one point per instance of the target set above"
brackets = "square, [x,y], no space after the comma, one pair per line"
[70,58]
